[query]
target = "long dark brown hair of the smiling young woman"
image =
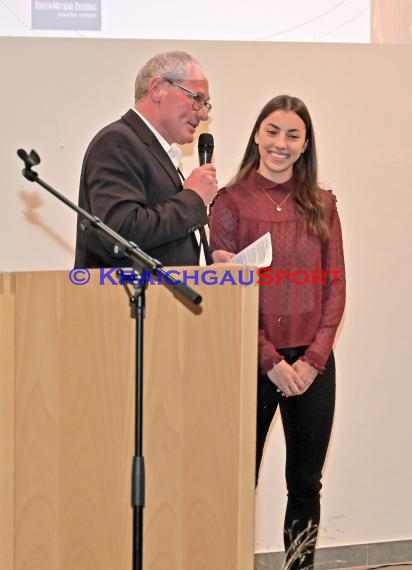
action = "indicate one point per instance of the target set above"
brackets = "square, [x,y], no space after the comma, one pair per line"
[308,195]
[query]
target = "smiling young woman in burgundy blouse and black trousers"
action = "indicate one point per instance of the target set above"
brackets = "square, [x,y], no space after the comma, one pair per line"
[302,299]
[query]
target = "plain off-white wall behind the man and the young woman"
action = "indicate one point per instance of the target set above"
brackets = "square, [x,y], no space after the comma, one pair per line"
[56,93]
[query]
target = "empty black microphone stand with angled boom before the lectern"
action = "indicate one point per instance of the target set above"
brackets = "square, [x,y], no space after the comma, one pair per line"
[141,260]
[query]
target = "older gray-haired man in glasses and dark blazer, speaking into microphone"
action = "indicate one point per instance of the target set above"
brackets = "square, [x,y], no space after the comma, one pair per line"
[130,178]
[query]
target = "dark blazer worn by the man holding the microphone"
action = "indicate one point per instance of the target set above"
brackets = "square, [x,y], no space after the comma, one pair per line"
[130,183]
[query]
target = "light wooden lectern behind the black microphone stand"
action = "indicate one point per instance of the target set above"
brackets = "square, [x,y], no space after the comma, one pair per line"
[67,358]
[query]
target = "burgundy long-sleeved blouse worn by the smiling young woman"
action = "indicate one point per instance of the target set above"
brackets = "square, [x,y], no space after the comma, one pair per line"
[302,295]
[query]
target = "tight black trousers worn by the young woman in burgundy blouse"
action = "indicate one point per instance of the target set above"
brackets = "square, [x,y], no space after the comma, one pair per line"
[307,423]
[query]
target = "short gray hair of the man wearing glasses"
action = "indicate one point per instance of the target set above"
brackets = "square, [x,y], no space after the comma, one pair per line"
[172,65]
